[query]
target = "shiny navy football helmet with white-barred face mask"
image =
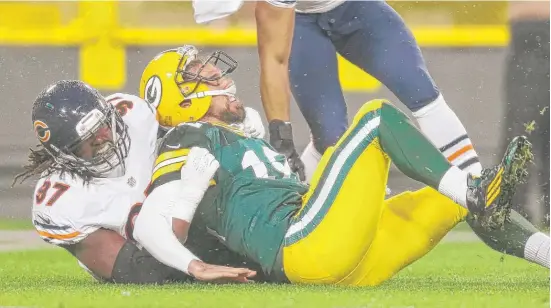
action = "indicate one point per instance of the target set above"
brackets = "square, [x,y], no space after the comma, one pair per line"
[68,114]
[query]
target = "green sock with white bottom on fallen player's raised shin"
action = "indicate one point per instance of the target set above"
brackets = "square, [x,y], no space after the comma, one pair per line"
[415,156]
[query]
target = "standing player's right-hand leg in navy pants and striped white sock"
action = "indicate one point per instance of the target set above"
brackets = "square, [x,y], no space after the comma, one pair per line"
[384,47]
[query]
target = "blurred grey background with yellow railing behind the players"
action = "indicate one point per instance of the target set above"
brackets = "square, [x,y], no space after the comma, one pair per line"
[489,58]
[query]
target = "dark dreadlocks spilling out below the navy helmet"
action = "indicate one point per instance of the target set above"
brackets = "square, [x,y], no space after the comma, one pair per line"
[41,161]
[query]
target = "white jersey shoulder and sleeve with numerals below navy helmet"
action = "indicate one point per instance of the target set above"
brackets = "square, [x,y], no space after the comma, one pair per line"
[65,210]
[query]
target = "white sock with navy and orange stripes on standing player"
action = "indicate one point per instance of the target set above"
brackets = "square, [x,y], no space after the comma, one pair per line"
[444,129]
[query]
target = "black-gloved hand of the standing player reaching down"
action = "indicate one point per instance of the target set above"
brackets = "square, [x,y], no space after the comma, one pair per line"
[281,138]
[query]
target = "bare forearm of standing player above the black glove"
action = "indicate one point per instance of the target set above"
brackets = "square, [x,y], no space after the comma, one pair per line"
[275,26]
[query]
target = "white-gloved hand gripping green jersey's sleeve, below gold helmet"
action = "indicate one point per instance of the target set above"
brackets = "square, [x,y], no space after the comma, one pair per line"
[199,168]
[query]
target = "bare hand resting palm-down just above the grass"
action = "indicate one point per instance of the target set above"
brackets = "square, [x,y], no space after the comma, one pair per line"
[219,274]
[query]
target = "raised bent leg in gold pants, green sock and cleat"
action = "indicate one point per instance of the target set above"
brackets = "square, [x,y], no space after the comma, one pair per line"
[343,207]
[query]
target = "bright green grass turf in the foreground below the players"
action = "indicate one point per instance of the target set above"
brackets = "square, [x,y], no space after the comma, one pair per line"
[452,275]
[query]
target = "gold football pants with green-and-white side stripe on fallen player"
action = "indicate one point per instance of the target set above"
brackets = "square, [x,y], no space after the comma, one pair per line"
[346,232]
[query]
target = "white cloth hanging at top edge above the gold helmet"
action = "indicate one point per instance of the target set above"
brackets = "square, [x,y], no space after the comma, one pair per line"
[208,10]
